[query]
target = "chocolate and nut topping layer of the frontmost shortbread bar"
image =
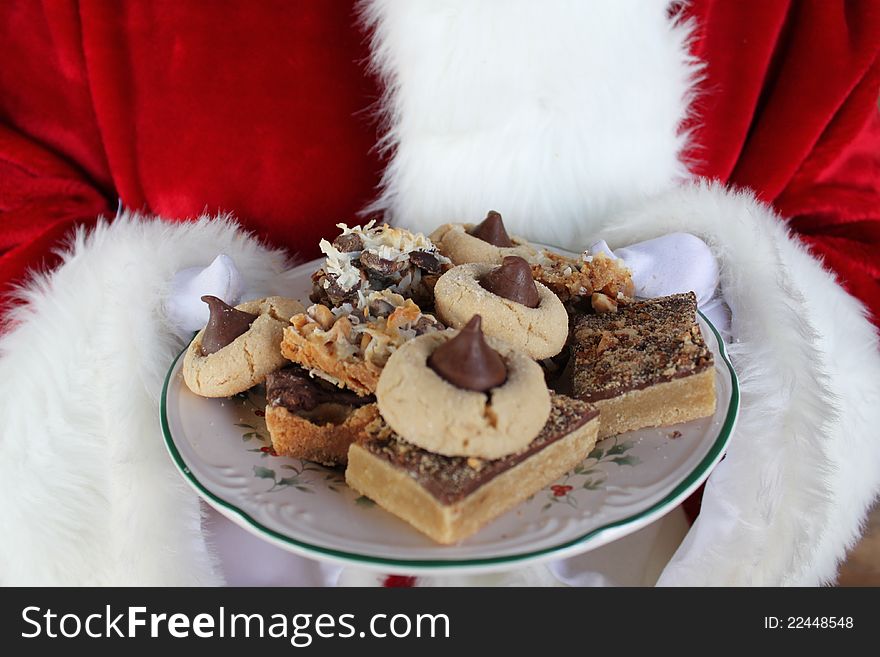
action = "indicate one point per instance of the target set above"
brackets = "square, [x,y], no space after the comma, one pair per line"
[451,478]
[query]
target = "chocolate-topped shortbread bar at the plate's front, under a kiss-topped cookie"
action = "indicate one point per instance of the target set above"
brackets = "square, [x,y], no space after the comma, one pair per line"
[450,498]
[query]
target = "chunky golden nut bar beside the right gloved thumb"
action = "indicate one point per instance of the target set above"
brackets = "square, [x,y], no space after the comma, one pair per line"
[602,281]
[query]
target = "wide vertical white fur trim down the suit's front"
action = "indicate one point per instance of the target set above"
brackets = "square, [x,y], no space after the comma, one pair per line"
[556,114]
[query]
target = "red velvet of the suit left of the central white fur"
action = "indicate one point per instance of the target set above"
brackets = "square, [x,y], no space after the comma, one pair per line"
[260,109]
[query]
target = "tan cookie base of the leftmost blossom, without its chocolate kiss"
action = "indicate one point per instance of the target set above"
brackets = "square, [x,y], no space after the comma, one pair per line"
[245,361]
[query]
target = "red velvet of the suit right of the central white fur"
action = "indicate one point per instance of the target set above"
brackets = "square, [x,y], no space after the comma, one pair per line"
[789,108]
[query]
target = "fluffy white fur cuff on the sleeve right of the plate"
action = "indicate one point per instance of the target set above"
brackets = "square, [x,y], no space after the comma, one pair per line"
[801,471]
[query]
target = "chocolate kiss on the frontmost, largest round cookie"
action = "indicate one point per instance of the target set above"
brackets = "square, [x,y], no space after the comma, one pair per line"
[466,361]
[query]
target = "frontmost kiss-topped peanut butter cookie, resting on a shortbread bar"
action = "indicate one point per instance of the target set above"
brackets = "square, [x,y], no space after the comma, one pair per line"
[460,394]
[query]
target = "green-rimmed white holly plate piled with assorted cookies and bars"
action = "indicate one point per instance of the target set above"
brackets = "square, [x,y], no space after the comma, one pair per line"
[465,401]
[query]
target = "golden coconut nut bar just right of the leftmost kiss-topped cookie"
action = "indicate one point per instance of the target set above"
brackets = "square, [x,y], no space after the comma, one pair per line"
[350,344]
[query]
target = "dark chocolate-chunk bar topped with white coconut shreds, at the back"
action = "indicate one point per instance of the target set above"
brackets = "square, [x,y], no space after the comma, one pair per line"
[370,258]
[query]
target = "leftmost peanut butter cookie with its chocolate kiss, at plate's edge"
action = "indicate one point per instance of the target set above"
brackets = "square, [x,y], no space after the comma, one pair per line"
[238,347]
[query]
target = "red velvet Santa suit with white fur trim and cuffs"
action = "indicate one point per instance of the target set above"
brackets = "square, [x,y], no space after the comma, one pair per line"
[578,120]
